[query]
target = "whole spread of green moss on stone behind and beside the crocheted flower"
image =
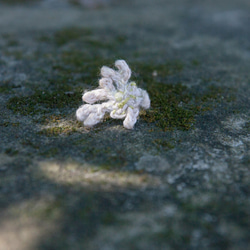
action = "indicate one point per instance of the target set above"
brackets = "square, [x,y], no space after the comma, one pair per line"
[173,106]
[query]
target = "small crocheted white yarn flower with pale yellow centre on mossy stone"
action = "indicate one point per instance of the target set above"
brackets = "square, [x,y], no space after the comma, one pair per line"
[123,100]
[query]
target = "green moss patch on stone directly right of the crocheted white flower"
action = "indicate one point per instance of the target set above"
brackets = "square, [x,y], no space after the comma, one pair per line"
[173,106]
